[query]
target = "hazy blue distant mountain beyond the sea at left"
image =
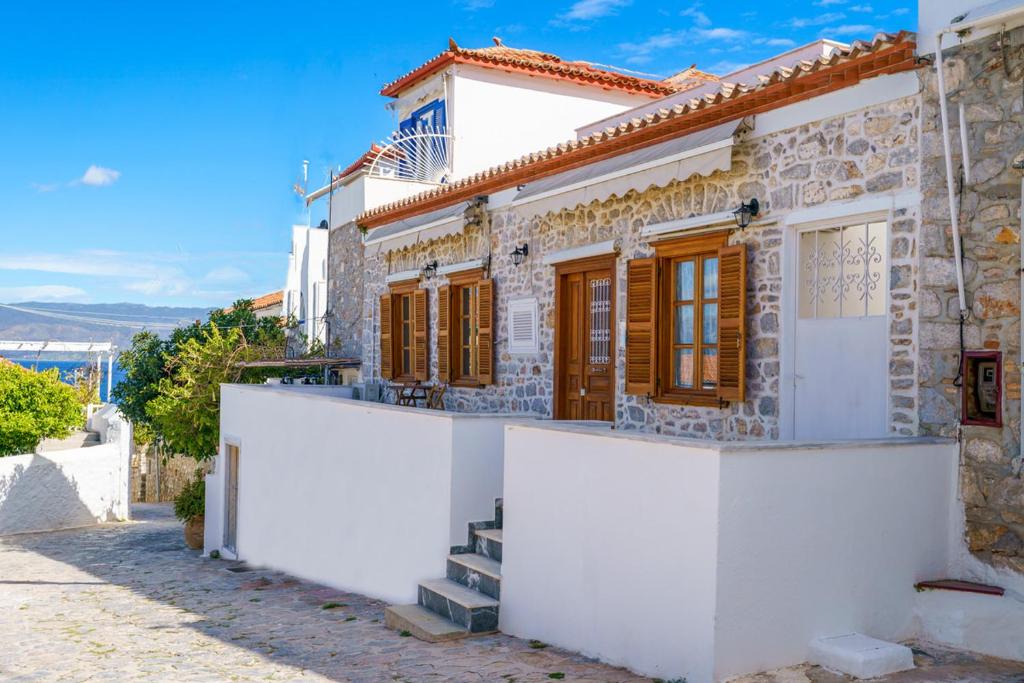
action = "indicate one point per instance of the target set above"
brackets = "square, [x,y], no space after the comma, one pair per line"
[73,322]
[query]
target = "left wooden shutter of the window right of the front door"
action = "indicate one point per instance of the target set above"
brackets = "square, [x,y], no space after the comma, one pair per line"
[642,319]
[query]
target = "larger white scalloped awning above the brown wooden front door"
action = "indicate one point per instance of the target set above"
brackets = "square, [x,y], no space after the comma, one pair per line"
[703,153]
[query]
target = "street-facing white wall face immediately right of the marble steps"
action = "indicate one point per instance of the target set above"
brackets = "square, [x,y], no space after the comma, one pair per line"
[610,548]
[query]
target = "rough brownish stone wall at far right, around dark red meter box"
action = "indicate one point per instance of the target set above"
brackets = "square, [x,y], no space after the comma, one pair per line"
[990,81]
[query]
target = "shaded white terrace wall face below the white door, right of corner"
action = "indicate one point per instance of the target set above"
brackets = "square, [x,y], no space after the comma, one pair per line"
[826,541]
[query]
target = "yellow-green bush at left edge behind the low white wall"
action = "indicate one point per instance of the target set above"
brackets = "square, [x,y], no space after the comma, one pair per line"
[33,407]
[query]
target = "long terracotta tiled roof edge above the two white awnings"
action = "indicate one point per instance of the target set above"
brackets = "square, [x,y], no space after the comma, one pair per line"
[886,54]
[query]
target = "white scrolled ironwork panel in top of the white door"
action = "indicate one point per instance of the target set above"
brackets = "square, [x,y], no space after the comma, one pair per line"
[843,272]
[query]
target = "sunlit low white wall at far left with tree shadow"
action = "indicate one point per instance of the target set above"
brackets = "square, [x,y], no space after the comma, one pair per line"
[68,489]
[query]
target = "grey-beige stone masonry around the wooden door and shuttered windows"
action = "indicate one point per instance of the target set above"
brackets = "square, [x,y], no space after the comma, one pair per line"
[870,152]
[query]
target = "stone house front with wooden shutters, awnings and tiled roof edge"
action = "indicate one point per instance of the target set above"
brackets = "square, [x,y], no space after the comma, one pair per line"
[829,151]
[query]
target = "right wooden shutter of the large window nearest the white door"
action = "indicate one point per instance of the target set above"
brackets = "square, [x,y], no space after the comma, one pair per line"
[733,323]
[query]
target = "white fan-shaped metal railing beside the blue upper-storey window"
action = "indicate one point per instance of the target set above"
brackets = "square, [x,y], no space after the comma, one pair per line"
[421,155]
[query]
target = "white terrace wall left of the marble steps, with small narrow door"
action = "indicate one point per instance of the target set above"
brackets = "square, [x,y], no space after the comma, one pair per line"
[363,497]
